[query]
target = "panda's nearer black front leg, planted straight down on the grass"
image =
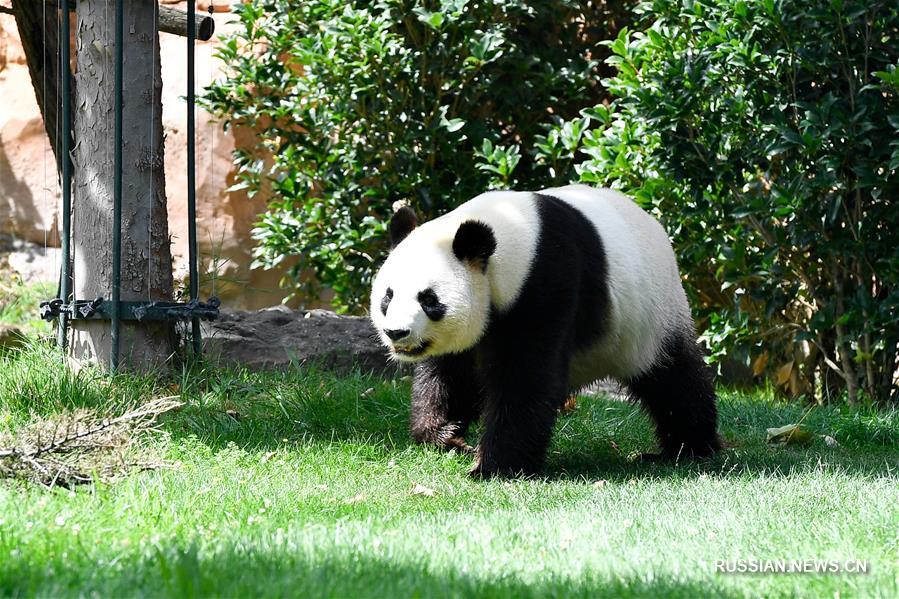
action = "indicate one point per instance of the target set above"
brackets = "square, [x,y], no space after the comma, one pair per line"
[520,407]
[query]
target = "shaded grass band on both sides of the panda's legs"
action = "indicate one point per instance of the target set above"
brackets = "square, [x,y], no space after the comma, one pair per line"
[598,440]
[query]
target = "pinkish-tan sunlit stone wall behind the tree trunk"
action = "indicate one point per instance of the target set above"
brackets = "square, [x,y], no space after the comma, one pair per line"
[29,194]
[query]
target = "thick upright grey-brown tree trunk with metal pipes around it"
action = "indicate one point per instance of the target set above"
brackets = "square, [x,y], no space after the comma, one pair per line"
[146,272]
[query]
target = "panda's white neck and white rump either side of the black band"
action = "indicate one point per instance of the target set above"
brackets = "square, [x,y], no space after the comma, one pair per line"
[647,301]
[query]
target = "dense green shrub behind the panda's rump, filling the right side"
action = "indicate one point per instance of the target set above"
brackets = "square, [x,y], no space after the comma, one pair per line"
[766,135]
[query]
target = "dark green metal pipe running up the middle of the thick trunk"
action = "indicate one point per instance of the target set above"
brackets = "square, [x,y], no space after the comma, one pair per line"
[117,185]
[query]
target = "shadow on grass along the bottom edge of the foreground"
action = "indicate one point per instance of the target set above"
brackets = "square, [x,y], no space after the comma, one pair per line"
[278,571]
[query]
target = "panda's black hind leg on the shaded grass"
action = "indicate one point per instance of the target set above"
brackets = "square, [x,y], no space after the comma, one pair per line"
[679,394]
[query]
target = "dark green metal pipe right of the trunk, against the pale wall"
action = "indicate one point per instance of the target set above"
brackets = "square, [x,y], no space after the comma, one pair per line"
[191,175]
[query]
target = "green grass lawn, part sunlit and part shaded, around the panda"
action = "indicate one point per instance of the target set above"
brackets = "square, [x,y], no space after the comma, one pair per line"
[300,484]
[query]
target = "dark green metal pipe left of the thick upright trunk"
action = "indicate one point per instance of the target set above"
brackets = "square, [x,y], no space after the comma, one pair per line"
[65,92]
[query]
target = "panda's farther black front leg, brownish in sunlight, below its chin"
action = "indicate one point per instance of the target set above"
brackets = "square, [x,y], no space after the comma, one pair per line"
[445,400]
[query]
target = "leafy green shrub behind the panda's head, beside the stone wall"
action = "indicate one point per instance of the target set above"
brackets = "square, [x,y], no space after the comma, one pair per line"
[357,105]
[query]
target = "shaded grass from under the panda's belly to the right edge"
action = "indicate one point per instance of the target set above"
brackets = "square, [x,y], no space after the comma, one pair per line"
[868,442]
